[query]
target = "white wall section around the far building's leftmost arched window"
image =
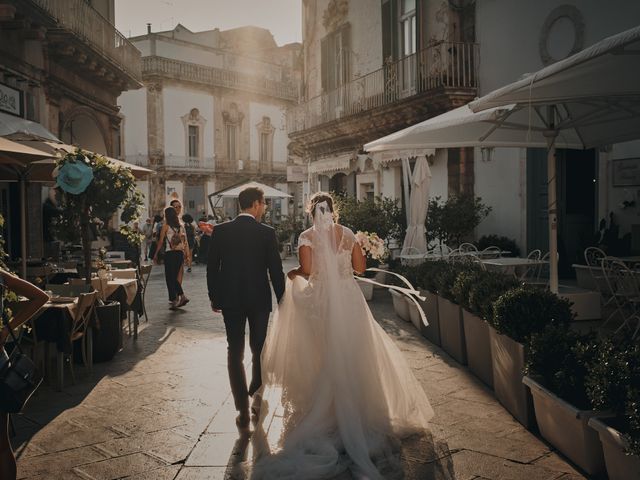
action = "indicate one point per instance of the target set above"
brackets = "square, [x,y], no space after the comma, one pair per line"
[179,101]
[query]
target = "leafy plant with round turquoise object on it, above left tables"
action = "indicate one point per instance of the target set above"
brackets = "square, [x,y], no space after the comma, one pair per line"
[93,189]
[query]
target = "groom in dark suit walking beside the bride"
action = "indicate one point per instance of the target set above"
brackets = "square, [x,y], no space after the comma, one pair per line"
[241,253]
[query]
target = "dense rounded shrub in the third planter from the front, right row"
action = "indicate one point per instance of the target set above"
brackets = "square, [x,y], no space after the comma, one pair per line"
[526,310]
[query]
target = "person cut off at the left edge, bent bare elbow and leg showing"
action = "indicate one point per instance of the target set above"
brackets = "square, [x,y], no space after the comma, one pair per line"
[36,298]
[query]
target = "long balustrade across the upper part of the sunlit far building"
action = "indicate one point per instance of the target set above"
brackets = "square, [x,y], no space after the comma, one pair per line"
[211,76]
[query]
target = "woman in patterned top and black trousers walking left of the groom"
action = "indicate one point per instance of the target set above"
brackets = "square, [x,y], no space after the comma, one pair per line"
[177,250]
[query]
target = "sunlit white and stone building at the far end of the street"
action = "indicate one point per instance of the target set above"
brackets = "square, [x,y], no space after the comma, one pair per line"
[211,114]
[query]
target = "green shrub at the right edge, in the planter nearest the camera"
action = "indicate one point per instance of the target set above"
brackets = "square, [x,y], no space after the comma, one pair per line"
[613,383]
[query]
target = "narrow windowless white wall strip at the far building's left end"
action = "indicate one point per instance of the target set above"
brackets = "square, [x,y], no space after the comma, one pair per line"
[134,108]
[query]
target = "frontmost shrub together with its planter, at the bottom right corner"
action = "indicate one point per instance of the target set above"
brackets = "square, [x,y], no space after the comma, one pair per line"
[613,384]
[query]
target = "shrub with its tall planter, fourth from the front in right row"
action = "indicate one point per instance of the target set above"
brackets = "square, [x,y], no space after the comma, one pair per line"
[475,291]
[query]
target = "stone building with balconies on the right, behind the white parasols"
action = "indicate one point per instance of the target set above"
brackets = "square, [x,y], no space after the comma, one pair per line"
[374,67]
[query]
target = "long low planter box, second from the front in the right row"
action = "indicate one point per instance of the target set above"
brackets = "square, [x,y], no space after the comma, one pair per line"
[565,427]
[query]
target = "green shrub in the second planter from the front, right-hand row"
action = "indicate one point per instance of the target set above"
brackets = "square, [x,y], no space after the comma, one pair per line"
[563,358]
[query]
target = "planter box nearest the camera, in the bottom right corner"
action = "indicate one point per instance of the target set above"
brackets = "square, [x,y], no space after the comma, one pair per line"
[619,465]
